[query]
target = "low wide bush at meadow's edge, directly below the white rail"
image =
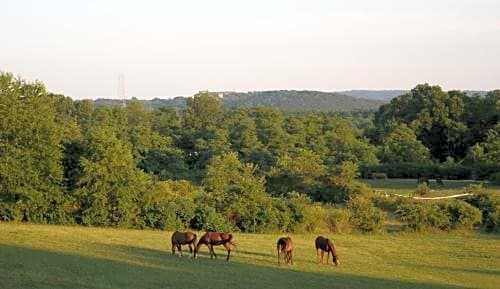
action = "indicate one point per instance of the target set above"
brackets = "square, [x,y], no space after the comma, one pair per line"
[419,216]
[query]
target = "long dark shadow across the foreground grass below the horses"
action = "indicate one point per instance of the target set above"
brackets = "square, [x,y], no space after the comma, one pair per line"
[131,267]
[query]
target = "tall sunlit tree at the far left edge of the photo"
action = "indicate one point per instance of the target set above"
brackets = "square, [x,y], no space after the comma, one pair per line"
[30,157]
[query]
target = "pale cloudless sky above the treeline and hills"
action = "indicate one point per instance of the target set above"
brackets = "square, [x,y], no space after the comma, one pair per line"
[171,48]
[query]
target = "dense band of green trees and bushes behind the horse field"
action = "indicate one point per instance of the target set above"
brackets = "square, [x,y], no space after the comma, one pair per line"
[250,169]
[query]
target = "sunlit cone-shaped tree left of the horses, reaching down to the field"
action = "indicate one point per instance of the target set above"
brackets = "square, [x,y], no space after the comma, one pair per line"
[110,184]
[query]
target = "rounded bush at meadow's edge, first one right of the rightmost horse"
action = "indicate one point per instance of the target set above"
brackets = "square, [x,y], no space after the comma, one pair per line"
[365,216]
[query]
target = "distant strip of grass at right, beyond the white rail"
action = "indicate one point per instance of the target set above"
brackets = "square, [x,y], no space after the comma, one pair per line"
[407,186]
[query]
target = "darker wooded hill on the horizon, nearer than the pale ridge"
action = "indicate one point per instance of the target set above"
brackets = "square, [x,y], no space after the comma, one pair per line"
[283,99]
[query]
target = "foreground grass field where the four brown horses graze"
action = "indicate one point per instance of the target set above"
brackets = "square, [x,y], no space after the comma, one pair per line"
[43,256]
